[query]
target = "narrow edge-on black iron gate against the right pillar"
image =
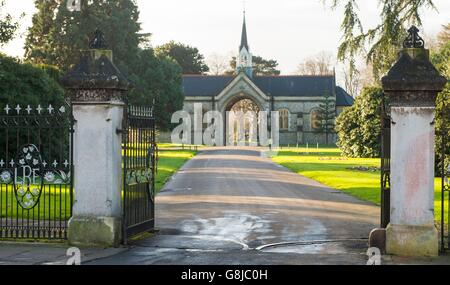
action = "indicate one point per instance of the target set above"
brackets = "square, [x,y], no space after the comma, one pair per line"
[385,163]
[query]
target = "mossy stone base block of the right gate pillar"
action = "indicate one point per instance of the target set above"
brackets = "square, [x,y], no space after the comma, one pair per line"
[412,240]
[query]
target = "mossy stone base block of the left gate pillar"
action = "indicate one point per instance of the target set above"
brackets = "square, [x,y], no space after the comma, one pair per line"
[95,231]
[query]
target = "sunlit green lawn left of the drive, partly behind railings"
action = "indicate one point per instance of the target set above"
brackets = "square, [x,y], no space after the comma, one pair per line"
[54,202]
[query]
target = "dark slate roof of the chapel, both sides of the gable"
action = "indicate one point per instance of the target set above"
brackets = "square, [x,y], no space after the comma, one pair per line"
[306,86]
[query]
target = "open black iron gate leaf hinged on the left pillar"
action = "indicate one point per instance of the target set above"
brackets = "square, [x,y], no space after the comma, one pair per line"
[140,155]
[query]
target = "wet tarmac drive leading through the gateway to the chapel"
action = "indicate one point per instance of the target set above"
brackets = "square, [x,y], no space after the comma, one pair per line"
[235,206]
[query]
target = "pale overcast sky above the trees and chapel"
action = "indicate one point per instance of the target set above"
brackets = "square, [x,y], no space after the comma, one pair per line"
[285,30]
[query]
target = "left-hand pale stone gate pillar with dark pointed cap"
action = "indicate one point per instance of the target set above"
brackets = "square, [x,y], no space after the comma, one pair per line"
[97,89]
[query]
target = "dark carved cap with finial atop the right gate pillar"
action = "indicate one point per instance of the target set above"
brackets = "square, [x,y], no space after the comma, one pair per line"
[413,80]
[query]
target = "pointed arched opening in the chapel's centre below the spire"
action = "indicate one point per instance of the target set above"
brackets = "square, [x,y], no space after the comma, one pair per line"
[243,116]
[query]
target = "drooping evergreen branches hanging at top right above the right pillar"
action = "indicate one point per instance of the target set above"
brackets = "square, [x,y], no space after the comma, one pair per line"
[379,44]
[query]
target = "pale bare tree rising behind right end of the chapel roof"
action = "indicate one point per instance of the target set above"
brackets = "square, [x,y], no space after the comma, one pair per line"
[319,64]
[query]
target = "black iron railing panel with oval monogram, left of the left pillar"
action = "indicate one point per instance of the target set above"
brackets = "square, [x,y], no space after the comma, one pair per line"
[36,171]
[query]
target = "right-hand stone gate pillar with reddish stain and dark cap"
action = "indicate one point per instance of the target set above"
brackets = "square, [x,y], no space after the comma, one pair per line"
[412,86]
